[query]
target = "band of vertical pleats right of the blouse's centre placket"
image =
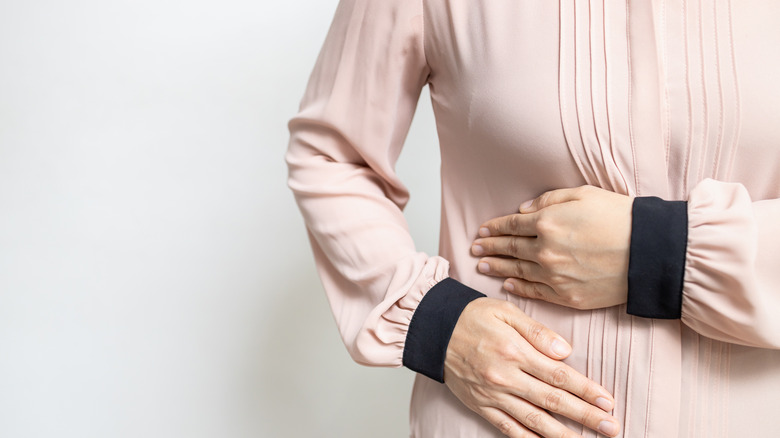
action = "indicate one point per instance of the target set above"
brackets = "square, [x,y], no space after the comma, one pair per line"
[705,117]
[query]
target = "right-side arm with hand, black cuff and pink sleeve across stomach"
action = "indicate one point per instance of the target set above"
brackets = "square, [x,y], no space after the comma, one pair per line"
[711,261]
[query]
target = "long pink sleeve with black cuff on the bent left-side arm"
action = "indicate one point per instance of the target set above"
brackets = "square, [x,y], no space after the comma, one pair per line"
[344,144]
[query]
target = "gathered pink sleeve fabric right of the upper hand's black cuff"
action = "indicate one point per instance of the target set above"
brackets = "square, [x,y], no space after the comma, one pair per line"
[731,288]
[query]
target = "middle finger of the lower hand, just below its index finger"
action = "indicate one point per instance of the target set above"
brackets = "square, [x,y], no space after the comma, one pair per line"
[561,402]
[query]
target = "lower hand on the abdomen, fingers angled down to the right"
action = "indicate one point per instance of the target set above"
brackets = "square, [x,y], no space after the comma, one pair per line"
[506,367]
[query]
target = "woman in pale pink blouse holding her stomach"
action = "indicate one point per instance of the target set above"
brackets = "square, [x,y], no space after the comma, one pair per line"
[667,305]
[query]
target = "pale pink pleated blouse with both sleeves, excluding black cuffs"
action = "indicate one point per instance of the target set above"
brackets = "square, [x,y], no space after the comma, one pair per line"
[673,98]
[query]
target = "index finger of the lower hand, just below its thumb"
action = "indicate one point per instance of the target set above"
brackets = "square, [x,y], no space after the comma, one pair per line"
[560,375]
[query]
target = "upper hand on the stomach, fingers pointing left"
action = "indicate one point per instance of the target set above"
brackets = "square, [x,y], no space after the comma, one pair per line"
[568,247]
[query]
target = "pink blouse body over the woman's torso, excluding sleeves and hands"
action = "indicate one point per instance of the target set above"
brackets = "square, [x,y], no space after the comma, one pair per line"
[639,97]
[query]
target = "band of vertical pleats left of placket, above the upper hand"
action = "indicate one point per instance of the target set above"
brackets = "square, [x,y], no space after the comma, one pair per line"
[588,98]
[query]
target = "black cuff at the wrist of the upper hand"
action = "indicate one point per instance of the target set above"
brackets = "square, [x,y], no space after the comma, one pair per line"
[656,266]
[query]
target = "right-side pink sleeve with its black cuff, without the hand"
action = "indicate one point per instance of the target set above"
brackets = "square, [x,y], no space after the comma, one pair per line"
[714,262]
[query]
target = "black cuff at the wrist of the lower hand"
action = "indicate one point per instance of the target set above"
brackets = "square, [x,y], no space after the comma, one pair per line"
[432,325]
